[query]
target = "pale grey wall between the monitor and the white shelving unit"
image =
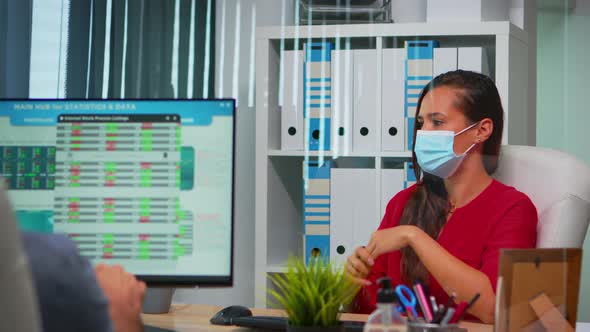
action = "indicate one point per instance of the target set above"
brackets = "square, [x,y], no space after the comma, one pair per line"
[234,77]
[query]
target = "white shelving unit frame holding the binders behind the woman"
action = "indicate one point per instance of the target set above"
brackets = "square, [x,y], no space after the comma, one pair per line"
[279,183]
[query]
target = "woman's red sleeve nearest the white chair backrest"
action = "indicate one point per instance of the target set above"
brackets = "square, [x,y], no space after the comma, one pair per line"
[516,229]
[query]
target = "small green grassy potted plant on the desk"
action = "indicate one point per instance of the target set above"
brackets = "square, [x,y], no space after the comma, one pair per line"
[313,294]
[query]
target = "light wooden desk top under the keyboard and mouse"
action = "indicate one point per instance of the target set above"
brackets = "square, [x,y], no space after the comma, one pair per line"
[195,317]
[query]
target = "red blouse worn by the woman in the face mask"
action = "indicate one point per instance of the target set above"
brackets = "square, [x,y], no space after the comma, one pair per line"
[499,217]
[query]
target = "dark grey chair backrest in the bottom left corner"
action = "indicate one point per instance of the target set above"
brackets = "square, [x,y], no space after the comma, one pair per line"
[18,301]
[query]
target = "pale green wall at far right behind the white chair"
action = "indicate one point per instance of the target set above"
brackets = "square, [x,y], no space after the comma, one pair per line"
[562,113]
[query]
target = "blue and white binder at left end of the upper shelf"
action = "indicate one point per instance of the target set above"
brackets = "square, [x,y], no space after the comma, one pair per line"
[317,95]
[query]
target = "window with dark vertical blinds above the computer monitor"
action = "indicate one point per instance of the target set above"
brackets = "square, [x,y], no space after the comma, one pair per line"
[109,48]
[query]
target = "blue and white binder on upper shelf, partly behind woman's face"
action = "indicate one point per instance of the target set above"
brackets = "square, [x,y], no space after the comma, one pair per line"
[419,70]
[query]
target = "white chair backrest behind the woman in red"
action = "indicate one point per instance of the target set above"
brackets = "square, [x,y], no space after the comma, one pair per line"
[559,186]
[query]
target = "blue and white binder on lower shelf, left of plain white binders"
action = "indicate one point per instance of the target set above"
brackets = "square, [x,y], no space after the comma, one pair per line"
[316,210]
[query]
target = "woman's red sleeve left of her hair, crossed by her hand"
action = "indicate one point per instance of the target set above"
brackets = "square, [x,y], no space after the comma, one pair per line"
[365,300]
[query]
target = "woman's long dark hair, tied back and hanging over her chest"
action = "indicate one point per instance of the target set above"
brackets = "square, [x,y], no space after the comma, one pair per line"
[428,206]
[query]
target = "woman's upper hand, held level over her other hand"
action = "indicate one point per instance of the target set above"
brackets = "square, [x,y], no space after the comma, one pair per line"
[391,239]
